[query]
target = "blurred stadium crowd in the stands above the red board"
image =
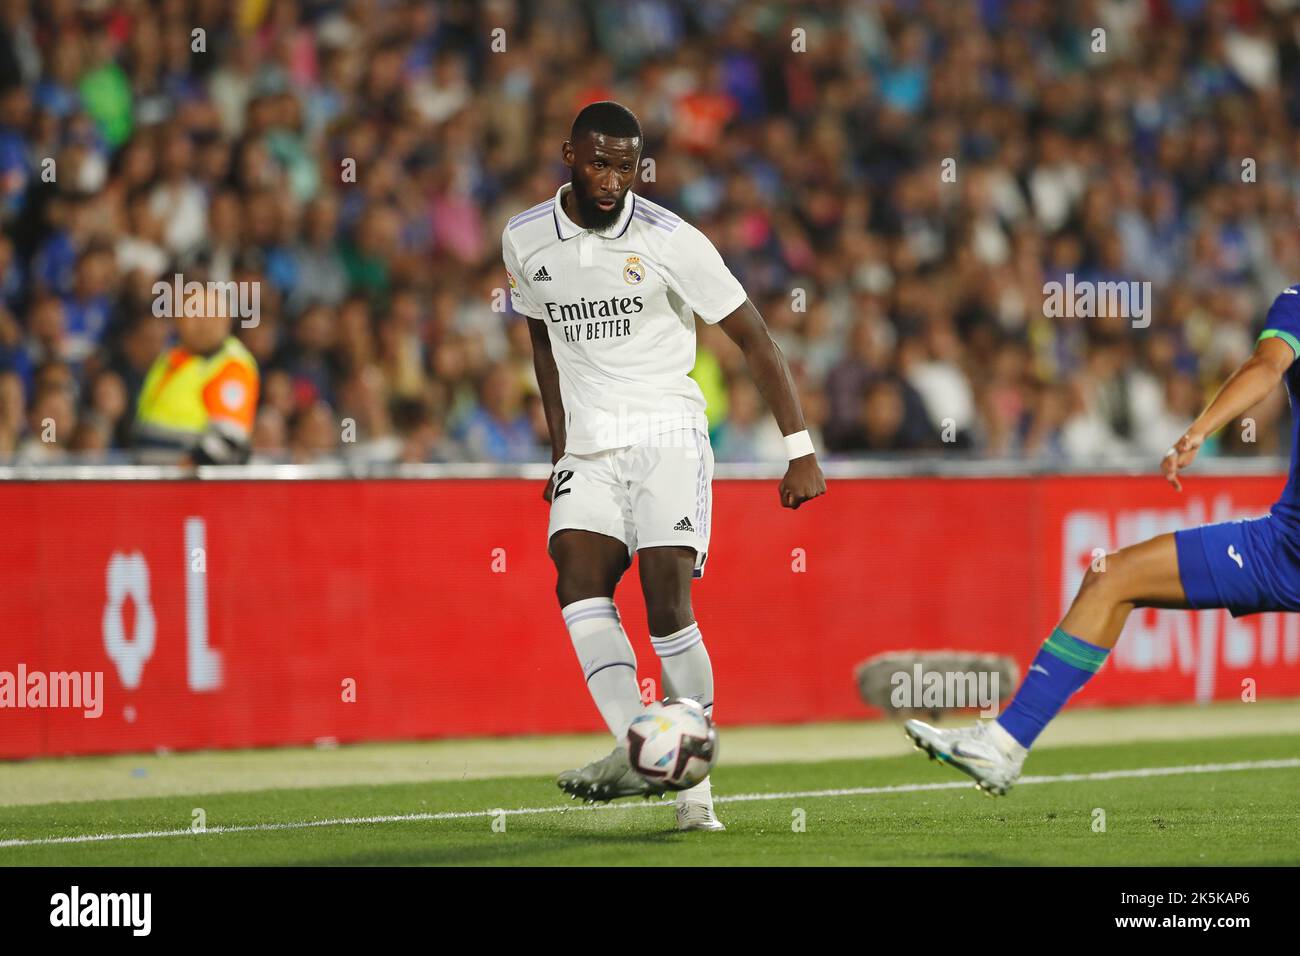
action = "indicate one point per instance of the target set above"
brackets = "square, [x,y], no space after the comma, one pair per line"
[216,140]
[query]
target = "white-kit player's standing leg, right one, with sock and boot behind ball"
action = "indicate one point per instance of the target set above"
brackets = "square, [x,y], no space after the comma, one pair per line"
[687,672]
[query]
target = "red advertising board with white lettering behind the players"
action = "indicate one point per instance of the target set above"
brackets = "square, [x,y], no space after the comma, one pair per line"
[255,613]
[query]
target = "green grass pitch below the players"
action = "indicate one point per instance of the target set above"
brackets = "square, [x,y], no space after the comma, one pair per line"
[777,814]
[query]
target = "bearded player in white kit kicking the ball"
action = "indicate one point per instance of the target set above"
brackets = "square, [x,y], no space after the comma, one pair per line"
[612,284]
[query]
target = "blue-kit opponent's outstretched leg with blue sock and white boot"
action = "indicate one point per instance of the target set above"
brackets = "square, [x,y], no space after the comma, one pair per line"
[1145,576]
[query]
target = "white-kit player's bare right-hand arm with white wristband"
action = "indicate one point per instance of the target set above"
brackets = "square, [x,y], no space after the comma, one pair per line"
[746,327]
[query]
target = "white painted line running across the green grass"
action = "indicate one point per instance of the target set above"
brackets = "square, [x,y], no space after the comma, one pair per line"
[1288,764]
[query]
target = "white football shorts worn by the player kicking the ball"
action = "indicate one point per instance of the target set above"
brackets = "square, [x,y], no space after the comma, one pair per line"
[652,495]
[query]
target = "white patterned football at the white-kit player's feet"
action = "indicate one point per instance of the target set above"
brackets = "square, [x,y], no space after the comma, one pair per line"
[673,743]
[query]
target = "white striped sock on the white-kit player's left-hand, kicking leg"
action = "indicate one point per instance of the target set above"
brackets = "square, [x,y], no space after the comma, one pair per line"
[609,663]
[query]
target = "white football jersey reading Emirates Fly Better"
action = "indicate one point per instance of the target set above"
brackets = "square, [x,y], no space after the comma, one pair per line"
[619,309]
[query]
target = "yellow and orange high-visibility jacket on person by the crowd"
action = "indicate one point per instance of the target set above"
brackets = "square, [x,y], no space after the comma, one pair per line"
[187,393]
